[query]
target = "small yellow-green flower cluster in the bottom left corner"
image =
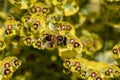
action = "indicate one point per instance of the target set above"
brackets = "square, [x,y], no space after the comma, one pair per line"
[8,66]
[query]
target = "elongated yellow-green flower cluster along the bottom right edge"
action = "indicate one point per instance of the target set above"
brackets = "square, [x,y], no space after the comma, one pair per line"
[91,70]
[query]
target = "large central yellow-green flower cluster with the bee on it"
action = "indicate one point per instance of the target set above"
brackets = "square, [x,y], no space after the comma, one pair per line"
[44,30]
